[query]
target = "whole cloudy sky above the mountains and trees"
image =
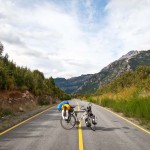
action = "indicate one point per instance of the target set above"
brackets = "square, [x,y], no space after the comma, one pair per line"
[68,38]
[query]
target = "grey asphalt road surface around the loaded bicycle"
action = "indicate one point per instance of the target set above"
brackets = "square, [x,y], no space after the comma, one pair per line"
[44,132]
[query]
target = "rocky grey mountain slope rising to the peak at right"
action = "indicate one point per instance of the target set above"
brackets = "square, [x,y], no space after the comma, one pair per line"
[127,62]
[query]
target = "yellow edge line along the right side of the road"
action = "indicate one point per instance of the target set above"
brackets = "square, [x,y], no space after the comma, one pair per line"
[126,120]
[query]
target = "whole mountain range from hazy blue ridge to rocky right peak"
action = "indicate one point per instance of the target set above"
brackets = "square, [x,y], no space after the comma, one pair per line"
[91,83]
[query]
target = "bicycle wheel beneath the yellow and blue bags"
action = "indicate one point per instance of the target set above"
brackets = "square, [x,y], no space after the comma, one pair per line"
[68,123]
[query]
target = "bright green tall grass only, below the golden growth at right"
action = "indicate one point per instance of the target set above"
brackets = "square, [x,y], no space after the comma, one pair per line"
[135,107]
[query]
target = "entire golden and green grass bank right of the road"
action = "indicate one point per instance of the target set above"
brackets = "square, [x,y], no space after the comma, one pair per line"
[131,102]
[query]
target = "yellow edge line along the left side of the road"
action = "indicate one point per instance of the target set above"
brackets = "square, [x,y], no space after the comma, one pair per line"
[23,122]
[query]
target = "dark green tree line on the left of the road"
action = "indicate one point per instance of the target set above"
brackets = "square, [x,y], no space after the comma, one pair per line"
[13,77]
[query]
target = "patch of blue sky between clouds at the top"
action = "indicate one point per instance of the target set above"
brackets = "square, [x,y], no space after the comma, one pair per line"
[89,12]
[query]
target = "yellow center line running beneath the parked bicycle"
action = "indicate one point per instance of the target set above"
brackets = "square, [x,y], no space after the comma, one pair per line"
[81,147]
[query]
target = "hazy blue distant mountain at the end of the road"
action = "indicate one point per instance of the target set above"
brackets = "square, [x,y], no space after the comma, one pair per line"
[72,84]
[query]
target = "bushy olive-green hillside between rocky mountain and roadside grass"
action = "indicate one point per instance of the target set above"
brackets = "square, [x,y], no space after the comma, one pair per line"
[138,80]
